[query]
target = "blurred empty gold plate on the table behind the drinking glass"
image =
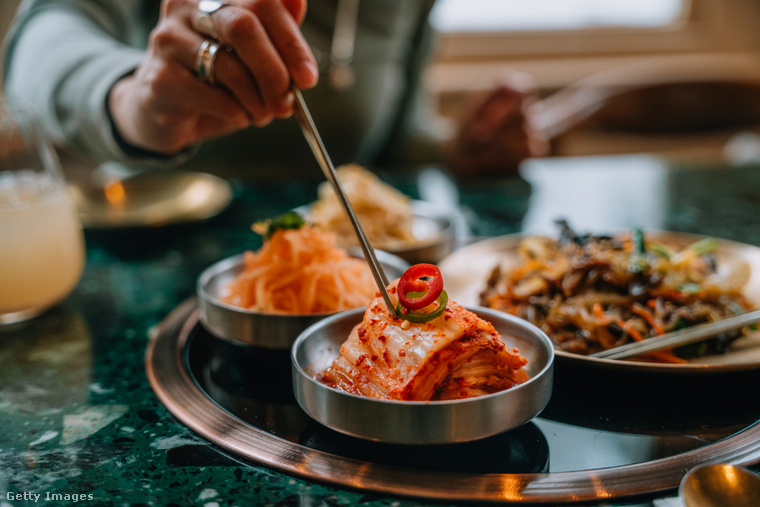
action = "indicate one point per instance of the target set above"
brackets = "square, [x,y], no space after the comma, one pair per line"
[152,199]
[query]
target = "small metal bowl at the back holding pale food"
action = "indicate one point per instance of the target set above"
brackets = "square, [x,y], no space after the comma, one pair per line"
[434,226]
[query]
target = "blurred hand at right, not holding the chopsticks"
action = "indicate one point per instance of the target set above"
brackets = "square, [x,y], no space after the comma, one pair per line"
[496,133]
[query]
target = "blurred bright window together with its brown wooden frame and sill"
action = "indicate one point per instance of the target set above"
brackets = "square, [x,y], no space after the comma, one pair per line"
[559,42]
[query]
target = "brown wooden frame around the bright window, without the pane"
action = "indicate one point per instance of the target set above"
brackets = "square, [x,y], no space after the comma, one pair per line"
[469,62]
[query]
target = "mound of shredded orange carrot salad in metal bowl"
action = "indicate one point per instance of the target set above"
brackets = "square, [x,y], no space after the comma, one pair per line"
[301,271]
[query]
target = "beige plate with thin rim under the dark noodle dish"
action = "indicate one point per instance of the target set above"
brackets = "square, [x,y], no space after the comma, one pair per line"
[466,273]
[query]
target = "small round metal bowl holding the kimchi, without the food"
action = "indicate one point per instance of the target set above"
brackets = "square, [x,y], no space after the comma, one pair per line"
[409,422]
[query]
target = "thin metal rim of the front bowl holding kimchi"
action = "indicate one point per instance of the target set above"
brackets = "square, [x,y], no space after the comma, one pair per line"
[542,337]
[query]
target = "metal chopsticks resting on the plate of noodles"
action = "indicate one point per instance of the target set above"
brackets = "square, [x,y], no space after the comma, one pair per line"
[681,337]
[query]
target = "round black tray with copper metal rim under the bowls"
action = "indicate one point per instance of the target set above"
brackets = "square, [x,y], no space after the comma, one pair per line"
[195,399]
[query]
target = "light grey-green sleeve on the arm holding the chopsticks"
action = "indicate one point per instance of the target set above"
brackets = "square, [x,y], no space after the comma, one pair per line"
[62,58]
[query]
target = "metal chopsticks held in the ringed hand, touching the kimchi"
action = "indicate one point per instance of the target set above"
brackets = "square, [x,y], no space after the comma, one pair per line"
[320,153]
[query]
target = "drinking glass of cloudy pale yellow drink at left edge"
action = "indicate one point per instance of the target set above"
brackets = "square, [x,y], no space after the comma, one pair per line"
[41,240]
